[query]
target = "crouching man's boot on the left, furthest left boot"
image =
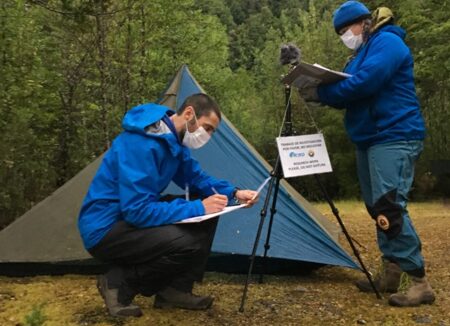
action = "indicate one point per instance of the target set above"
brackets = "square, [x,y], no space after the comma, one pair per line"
[110,296]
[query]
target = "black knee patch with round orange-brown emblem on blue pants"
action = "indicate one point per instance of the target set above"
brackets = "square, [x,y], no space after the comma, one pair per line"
[388,214]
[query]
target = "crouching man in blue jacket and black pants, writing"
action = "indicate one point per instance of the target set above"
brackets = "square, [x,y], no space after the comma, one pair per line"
[126,223]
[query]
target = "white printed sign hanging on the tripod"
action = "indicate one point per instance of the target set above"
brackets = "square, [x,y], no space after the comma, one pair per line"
[303,155]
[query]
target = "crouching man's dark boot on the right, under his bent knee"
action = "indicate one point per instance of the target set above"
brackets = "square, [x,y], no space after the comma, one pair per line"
[172,298]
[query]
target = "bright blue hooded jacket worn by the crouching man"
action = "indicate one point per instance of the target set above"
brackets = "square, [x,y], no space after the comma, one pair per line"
[140,164]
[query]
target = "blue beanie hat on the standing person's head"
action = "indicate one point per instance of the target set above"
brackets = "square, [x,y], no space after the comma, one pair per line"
[349,13]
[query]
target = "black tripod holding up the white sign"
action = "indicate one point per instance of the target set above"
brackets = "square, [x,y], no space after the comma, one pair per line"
[274,185]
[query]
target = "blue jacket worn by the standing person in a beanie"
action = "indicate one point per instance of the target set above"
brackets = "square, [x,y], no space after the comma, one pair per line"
[380,97]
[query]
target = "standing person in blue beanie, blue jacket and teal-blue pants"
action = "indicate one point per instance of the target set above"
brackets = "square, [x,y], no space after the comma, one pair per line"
[383,119]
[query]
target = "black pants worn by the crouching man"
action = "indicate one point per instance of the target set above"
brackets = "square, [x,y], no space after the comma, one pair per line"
[147,260]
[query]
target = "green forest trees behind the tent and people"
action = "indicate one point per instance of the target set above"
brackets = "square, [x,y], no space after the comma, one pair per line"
[70,69]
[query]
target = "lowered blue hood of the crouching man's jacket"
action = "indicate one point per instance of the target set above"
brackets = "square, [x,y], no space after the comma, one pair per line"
[142,116]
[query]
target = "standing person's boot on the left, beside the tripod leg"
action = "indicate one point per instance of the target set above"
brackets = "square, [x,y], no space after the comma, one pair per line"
[387,279]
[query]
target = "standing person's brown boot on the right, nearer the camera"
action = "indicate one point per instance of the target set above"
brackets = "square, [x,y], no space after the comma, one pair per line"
[413,291]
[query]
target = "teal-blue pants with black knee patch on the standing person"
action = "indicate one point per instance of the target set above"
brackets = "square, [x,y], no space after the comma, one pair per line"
[386,172]
